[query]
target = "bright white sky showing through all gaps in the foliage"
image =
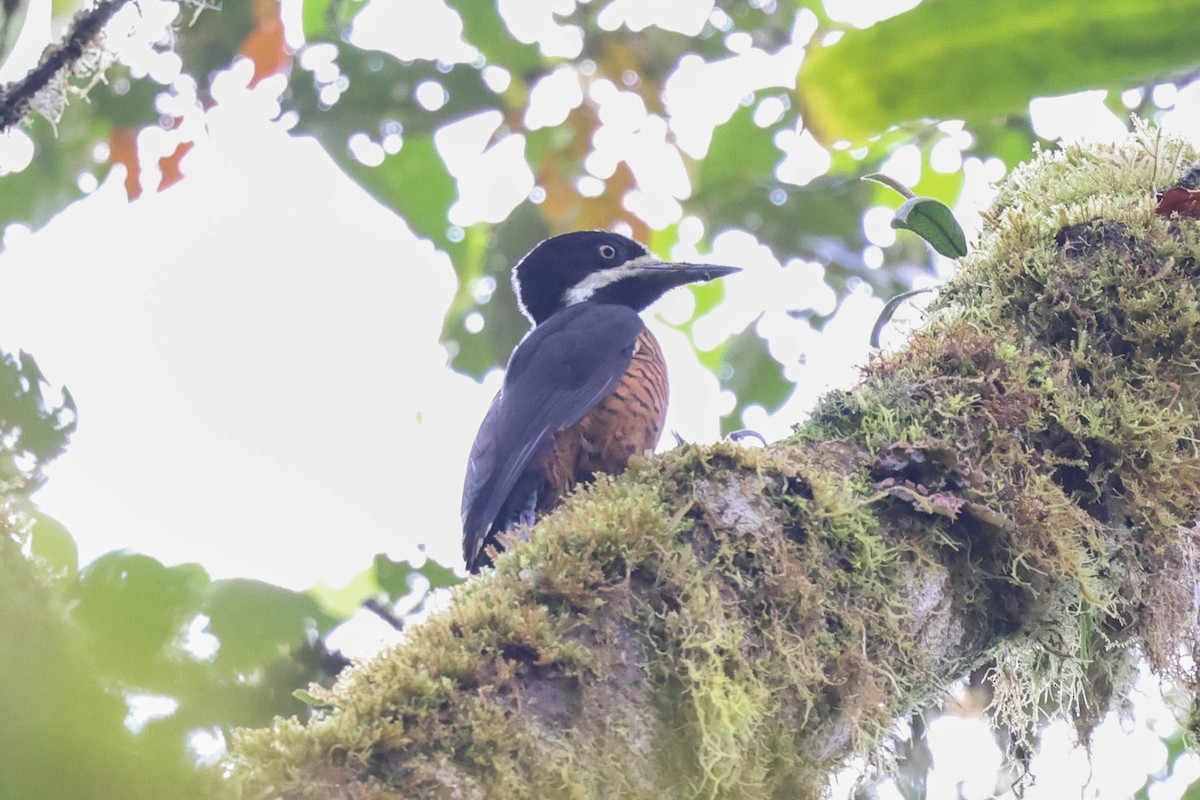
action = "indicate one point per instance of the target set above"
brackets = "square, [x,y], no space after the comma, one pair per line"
[259,354]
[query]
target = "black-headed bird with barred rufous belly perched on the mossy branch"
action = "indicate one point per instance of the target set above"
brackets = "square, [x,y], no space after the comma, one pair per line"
[584,392]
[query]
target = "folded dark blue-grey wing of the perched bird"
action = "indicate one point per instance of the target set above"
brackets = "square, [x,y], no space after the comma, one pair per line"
[556,376]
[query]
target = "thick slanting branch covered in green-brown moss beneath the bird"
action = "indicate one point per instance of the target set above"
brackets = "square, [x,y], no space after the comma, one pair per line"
[1017,490]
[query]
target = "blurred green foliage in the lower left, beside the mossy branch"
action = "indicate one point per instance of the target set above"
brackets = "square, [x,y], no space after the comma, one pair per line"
[82,651]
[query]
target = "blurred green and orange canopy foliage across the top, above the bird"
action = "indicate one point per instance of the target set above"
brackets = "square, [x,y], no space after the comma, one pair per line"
[941,61]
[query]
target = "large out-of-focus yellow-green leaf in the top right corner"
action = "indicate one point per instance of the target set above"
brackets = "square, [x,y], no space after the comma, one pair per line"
[983,59]
